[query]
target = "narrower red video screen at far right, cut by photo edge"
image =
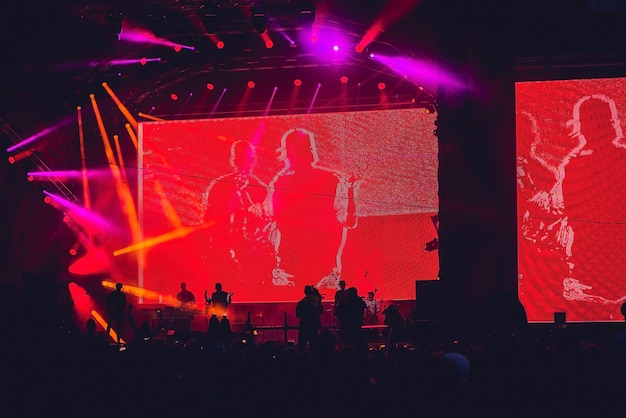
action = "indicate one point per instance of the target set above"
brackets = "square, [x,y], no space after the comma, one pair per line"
[571,173]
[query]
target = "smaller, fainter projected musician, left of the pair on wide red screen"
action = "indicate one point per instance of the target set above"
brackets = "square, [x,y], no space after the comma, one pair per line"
[243,237]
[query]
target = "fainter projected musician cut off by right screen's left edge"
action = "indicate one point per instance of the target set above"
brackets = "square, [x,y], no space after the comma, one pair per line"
[546,237]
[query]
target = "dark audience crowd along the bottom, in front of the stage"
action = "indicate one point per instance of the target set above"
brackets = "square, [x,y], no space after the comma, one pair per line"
[84,374]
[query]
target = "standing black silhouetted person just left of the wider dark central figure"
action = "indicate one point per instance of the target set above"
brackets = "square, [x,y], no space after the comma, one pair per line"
[309,310]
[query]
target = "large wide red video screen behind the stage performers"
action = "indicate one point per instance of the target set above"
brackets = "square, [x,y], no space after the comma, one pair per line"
[267,205]
